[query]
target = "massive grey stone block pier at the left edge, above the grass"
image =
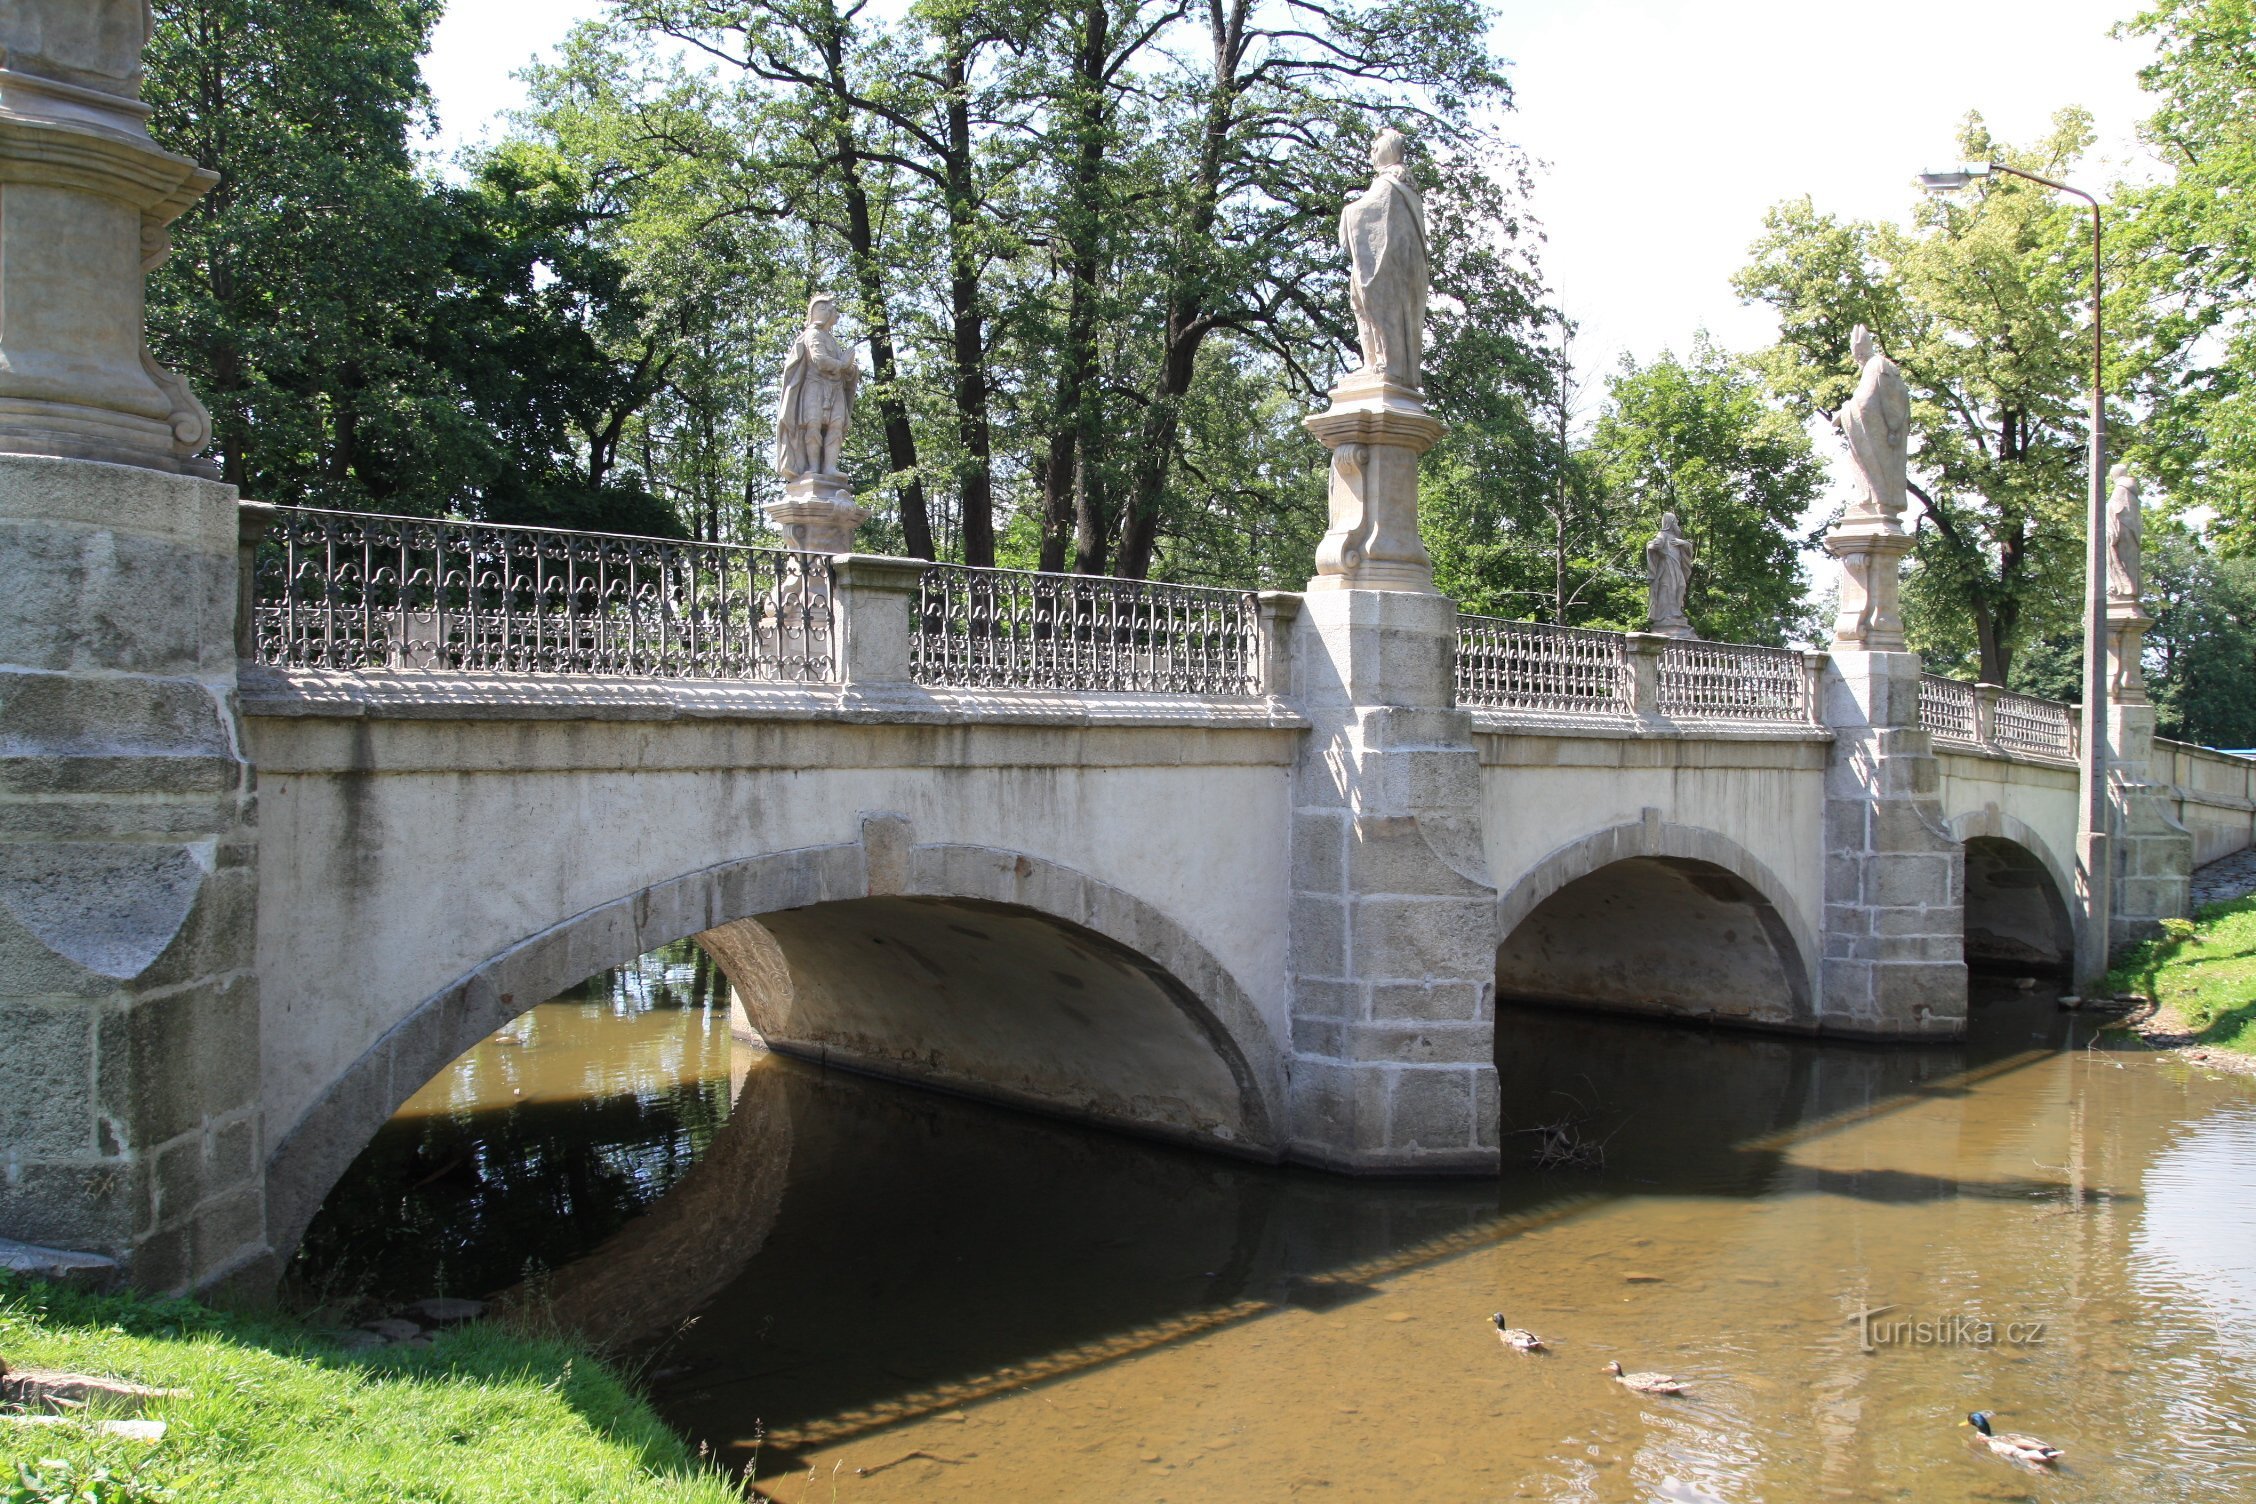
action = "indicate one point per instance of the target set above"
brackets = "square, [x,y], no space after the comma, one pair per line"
[130,1009]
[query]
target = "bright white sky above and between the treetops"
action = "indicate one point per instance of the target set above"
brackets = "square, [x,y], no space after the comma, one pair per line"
[1668,125]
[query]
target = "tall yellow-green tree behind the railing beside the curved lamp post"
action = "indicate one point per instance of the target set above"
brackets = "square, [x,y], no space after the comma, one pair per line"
[1984,308]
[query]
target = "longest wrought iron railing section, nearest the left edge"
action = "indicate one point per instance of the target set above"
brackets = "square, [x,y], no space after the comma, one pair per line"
[367,592]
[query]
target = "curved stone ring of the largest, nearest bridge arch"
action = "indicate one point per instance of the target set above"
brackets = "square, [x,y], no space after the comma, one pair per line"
[1163,962]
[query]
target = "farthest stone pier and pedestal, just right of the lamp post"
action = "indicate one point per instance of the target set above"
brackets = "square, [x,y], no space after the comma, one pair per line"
[2151,851]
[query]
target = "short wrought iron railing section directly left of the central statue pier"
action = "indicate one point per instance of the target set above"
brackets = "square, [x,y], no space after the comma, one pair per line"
[1021,630]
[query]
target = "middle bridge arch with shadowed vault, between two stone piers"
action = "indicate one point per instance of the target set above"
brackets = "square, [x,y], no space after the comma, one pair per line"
[1603,923]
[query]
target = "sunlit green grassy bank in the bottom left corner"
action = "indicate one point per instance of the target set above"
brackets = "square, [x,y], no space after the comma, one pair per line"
[279,1413]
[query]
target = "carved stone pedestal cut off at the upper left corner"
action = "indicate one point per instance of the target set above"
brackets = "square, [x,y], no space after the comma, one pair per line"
[85,202]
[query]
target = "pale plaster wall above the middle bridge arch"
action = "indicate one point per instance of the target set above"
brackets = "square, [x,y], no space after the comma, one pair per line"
[1546,793]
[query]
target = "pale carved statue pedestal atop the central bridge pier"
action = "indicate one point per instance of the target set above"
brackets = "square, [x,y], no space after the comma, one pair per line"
[1375,432]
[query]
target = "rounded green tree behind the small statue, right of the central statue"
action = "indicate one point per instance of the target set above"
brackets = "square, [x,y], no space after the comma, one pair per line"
[1700,439]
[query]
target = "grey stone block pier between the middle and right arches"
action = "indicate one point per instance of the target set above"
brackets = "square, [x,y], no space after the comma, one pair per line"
[1894,876]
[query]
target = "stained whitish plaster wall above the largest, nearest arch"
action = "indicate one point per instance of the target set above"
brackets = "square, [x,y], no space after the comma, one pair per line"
[400,851]
